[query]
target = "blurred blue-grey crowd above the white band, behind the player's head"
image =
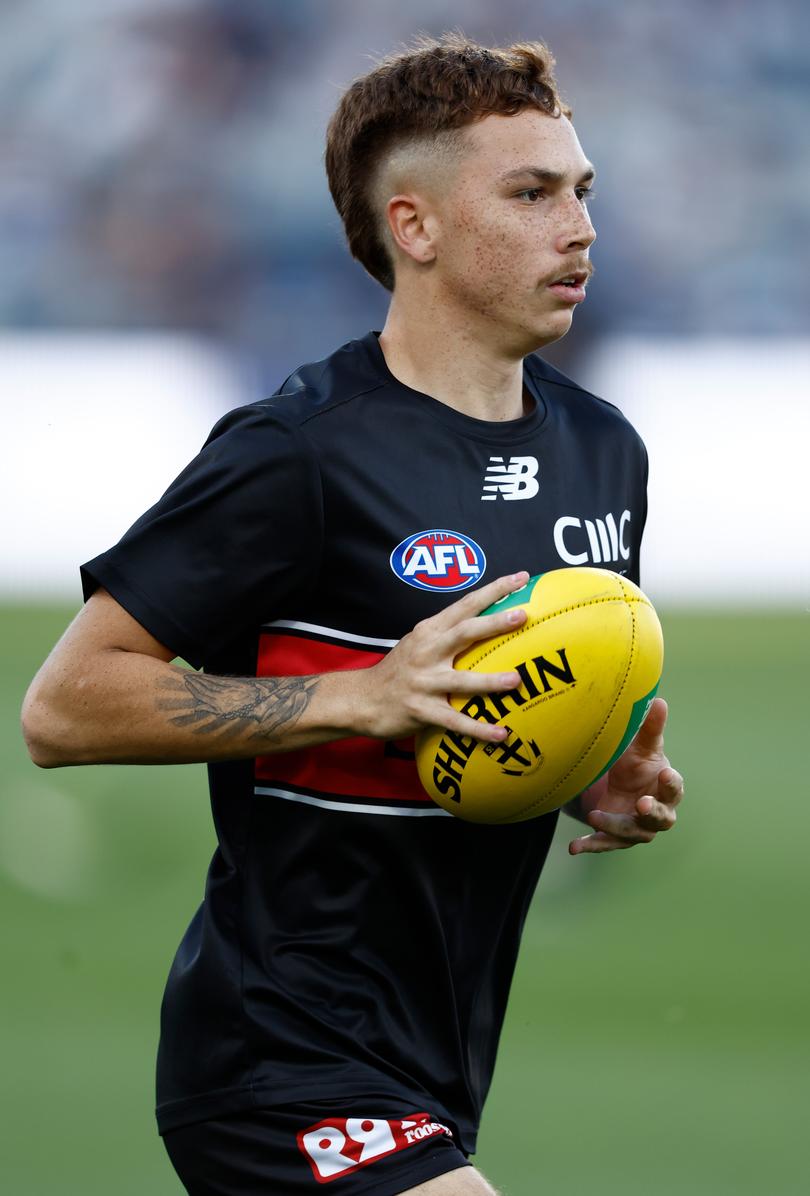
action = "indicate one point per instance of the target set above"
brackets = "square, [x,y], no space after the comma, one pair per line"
[162,163]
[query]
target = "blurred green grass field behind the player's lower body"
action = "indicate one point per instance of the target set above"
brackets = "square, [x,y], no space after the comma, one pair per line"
[657,1041]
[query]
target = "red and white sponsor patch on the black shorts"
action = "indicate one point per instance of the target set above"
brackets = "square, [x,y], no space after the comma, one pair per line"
[340,1145]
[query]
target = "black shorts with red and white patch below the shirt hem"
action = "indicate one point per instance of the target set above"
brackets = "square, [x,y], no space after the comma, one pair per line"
[375,1148]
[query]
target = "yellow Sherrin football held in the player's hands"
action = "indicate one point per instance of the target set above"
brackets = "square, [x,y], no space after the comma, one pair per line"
[590,657]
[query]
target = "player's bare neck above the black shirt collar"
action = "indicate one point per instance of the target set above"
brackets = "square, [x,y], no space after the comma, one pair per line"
[430,351]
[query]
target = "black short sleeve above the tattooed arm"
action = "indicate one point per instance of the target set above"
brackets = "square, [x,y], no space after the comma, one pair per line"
[234,540]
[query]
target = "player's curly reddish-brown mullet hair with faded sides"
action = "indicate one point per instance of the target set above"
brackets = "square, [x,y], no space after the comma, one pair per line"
[439,87]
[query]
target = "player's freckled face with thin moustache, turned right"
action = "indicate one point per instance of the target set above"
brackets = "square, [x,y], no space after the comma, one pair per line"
[514,221]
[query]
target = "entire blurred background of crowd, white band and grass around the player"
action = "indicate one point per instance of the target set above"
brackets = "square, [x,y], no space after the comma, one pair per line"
[169,251]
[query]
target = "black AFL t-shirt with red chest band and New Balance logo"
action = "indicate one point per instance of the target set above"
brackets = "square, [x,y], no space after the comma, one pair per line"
[355,939]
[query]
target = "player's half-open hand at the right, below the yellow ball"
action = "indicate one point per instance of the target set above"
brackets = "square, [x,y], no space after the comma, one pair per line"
[637,798]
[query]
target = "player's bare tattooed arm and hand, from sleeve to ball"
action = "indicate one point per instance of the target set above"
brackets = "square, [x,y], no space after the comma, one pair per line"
[109,693]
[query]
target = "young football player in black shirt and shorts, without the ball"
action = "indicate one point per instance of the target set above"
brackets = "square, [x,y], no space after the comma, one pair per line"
[333,1014]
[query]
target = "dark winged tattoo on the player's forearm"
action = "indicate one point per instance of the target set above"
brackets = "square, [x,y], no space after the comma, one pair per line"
[233,706]
